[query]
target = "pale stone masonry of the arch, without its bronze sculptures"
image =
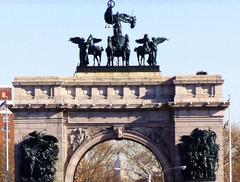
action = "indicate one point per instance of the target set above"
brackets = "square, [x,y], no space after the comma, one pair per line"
[134,103]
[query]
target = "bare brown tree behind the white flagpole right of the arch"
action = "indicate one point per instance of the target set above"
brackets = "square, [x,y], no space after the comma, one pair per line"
[235,154]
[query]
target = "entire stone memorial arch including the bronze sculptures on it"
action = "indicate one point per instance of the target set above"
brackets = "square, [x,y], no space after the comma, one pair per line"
[165,114]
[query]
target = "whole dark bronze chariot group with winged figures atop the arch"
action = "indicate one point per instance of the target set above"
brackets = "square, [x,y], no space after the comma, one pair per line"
[117,45]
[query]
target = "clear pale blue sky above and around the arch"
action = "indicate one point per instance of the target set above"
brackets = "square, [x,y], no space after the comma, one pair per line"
[204,35]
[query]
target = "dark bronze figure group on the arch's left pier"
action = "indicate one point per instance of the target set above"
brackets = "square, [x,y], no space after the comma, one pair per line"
[39,153]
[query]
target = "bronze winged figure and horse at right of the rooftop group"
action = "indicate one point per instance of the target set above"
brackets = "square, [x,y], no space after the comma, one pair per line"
[149,47]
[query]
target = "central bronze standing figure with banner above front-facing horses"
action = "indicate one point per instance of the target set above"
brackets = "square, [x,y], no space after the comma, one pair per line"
[118,45]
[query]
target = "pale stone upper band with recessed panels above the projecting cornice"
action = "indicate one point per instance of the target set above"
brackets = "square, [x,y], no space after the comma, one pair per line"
[180,89]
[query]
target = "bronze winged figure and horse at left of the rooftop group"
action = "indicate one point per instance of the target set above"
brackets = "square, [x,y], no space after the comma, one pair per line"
[88,48]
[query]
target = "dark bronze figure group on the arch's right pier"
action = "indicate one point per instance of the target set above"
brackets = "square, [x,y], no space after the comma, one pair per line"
[199,153]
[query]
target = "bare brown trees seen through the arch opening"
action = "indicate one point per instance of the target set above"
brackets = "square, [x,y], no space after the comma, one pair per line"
[137,163]
